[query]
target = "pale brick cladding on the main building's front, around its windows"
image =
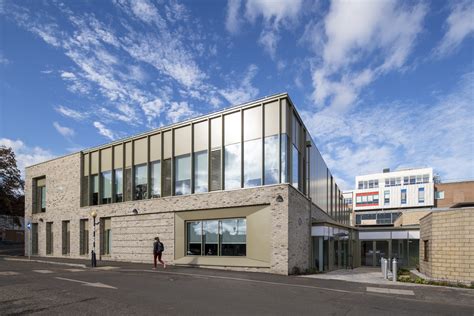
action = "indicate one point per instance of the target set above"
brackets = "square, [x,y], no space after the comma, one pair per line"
[132,235]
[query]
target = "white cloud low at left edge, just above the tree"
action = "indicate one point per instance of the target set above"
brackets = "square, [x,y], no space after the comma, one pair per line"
[26,155]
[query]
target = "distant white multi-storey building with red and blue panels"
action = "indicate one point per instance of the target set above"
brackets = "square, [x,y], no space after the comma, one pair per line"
[380,197]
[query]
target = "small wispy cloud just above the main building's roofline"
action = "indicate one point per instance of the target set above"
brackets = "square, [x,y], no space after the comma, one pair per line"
[243,92]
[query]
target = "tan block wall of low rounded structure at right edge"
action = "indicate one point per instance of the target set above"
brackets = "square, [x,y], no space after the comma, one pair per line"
[450,244]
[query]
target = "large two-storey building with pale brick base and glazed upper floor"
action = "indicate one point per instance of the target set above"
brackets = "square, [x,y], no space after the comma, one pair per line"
[242,188]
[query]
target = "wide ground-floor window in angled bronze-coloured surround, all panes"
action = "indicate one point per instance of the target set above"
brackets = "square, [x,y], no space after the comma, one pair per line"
[224,237]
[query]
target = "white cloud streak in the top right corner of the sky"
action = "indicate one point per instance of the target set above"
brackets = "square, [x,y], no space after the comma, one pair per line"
[459,25]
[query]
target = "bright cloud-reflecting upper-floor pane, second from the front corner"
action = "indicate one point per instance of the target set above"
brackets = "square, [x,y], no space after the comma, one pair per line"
[252,163]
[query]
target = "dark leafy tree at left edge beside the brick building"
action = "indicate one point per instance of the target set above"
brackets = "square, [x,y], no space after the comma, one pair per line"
[12,200]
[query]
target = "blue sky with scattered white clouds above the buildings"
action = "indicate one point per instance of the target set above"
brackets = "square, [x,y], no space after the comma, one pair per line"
[379,84]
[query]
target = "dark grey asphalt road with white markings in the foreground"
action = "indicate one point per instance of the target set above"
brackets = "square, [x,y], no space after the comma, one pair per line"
[131,289]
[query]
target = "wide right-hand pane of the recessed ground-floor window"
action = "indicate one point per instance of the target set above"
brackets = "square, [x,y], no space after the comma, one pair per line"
[233,237]
